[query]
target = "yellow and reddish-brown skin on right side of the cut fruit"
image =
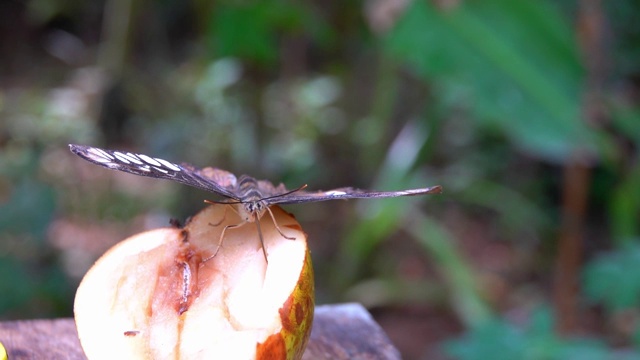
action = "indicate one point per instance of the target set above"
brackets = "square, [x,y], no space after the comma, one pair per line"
[296,316]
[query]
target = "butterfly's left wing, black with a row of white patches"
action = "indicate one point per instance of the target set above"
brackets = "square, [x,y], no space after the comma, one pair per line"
[209,179]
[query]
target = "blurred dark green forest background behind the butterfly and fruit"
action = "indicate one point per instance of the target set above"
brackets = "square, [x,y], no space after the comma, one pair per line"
[526,112]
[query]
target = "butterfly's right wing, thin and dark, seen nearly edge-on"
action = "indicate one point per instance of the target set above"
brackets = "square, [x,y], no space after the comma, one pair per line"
[348,193]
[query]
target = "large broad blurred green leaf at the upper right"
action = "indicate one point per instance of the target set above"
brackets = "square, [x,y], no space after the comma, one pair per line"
[513,65]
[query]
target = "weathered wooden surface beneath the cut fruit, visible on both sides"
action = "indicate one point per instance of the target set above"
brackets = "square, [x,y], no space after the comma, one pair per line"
[343,331]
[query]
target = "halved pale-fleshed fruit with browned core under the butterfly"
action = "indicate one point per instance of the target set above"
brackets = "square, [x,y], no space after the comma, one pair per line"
[161,295]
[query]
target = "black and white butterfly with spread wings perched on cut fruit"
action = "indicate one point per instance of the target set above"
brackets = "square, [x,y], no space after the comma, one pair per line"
[251,198]
